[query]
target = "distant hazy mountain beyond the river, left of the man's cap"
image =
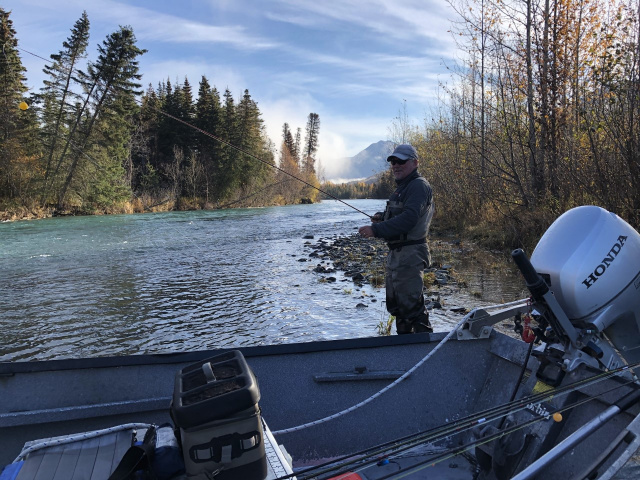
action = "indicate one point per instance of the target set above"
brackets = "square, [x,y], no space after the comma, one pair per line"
[368,163]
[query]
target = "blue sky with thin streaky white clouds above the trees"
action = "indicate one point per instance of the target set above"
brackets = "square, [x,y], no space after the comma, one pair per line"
[356,63]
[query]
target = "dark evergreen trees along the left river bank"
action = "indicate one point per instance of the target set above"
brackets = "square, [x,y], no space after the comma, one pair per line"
[92,141]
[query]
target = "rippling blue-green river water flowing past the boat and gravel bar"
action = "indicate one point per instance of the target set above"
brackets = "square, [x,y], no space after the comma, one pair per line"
[166,282]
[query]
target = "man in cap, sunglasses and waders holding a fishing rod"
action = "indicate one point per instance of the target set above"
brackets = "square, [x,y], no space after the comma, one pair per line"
[404,225]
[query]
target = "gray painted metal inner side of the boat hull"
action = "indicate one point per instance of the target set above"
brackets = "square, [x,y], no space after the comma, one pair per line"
[298,384]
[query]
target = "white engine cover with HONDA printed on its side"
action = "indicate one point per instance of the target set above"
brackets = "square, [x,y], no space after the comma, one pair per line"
[590,258]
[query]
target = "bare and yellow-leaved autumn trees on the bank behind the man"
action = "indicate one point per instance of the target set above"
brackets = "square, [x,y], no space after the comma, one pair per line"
[543,116]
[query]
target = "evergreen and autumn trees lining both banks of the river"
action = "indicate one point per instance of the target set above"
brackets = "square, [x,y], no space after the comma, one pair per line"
[540,114]
